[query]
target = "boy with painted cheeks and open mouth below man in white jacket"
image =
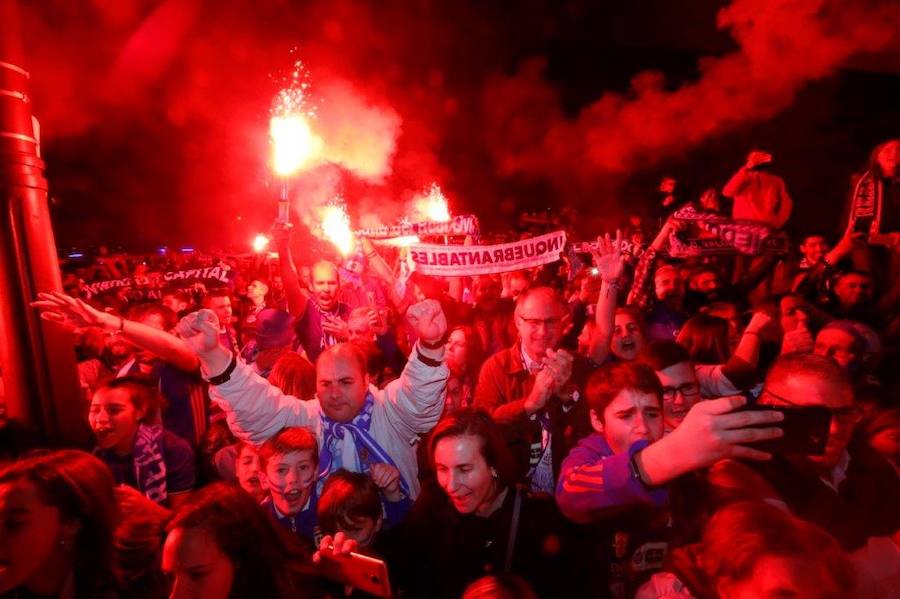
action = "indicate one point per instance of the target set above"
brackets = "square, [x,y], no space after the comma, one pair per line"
[289,463]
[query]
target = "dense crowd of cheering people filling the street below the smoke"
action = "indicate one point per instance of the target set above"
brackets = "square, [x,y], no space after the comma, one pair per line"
[618,424]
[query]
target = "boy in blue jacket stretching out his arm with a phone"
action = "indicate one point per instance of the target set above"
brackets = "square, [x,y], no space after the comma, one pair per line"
[617,480]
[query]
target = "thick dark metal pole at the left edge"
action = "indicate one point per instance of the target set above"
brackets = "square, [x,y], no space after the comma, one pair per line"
[36,358]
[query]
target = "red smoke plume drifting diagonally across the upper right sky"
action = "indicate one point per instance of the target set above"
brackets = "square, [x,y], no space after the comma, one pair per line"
[783,46]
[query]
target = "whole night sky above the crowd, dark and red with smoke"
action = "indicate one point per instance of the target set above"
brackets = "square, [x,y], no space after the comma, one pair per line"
[154,114]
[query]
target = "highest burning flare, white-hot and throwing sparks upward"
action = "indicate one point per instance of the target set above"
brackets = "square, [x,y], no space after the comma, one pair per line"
[294,143]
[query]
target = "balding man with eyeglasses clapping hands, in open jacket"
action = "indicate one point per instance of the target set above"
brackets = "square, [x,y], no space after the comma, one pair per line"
[532,389]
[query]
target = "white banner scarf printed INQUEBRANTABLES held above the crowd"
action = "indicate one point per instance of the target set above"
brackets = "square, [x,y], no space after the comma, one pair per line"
[471,260]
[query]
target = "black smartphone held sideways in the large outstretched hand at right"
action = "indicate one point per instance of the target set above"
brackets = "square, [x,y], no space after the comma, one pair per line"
[805,430]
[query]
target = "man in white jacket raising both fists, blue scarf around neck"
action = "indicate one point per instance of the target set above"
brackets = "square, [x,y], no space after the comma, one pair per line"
[356,425]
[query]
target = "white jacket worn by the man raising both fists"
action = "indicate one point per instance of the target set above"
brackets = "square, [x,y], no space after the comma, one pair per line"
[405,409]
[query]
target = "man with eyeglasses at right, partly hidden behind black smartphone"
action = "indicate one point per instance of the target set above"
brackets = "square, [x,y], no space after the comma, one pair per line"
[849,490]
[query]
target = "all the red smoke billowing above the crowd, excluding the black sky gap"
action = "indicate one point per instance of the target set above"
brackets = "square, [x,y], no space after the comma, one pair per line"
[167,101]
